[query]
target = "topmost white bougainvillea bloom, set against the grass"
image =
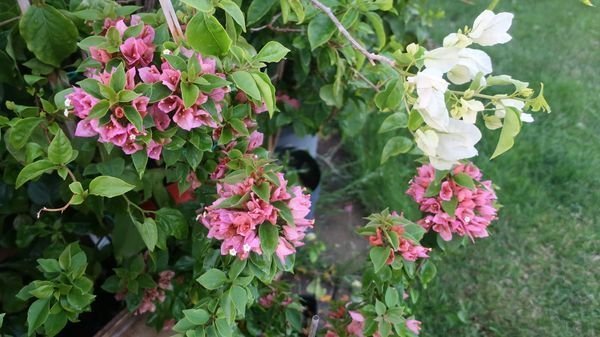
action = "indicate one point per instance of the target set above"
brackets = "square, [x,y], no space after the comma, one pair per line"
[490,29]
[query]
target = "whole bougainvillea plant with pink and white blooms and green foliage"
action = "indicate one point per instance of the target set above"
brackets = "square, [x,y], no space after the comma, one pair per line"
[138,159]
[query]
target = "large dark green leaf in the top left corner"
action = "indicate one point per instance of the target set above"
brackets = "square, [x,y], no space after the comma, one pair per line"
[50,35]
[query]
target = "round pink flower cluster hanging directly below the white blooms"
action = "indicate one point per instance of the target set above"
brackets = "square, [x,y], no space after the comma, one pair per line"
[457,203]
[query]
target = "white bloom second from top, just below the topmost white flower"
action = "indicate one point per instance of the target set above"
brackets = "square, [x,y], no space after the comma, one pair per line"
[470,63]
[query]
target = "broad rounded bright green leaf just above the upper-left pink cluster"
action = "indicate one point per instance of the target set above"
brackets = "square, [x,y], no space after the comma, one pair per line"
[206,35]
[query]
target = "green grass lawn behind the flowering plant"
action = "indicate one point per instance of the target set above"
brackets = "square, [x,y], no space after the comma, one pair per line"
[539,272]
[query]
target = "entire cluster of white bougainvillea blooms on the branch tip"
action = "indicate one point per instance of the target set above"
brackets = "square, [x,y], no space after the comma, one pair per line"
[450,134]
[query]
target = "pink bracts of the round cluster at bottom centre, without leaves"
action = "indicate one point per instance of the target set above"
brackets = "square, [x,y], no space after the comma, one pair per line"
[238,227]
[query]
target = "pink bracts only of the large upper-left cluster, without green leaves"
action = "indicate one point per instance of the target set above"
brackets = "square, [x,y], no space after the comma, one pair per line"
[138,53]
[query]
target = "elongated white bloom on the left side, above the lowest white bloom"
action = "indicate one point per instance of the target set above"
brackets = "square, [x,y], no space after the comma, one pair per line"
[431,102]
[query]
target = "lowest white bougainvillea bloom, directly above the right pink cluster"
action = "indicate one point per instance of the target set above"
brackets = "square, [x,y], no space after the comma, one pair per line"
[446,148]
